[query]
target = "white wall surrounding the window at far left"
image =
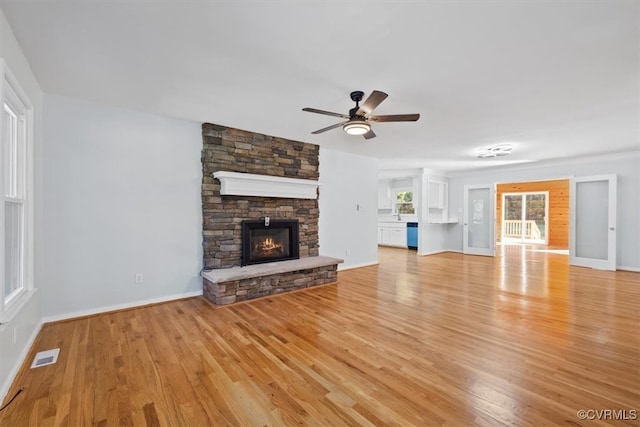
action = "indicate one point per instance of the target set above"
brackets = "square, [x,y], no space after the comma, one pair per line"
[27,322]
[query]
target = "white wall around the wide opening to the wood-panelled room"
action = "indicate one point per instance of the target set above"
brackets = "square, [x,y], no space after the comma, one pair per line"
[625,165]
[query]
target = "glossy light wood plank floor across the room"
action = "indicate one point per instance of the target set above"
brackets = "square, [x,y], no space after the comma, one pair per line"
[521,339]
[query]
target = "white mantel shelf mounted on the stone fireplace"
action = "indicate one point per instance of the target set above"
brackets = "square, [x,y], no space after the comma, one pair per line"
[247,184]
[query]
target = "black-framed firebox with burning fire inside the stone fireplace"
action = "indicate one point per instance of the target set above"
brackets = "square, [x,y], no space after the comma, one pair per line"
[269,241]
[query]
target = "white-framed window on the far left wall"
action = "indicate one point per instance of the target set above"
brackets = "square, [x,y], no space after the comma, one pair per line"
[15,211]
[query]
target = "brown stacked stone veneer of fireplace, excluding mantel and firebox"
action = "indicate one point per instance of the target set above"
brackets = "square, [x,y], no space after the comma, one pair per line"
[234,150]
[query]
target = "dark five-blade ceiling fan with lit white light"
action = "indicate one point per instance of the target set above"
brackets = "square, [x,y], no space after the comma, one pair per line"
[358,119]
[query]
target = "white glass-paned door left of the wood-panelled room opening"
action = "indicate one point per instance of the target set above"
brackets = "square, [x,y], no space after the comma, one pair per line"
[479,220]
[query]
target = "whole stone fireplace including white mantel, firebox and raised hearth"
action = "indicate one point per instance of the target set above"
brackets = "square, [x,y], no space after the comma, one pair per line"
[232,272]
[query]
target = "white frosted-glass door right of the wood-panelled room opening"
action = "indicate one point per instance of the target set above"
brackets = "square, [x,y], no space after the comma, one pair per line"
[592,240]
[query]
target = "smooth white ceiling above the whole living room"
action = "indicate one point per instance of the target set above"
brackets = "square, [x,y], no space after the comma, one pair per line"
[554,78]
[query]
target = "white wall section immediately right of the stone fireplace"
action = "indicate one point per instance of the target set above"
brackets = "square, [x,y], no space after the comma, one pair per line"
[348,205]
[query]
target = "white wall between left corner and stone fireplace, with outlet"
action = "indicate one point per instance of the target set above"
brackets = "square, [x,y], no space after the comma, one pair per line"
[121,196]
